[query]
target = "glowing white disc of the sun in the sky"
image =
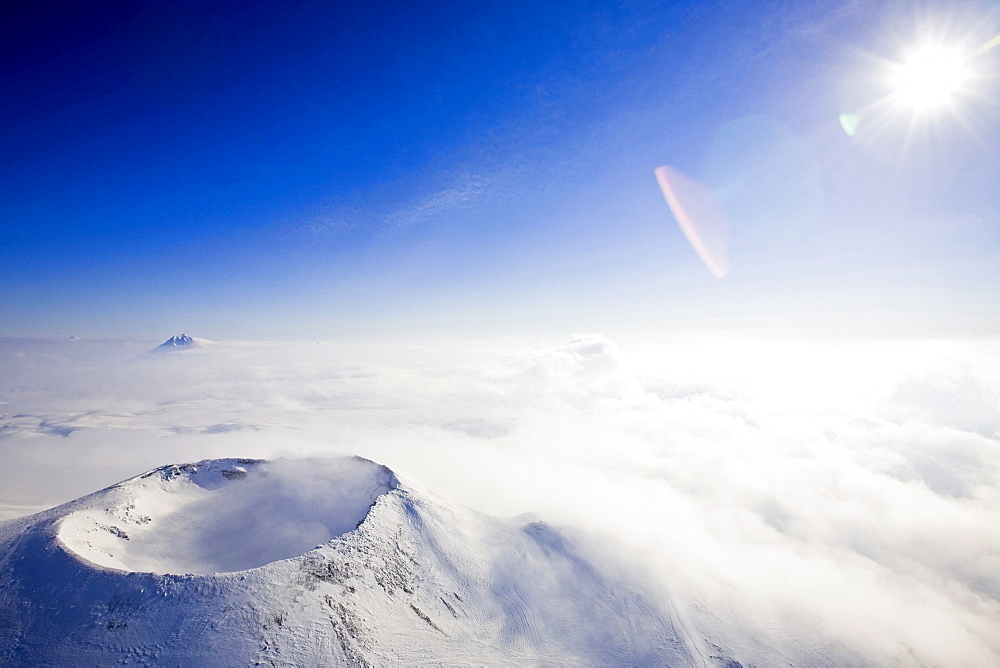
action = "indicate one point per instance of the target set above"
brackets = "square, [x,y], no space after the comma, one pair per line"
[929,77]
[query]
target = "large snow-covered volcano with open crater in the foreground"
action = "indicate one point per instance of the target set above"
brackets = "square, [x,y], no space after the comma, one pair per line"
[214,563]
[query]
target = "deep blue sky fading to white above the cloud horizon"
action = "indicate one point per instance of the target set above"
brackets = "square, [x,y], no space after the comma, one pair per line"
[323,169]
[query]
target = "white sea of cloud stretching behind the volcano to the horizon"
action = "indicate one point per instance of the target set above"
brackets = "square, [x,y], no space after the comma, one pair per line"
[830,502]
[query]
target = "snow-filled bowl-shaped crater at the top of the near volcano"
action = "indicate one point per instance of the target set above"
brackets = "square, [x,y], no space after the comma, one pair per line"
[224,515]
